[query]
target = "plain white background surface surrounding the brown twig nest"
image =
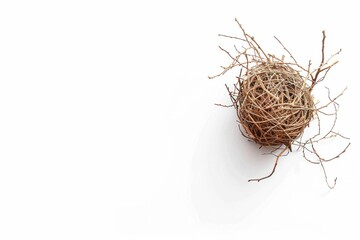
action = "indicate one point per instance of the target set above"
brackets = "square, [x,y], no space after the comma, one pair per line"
[108,128]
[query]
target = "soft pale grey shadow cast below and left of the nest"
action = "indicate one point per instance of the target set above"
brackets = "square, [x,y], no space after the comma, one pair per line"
[222,165]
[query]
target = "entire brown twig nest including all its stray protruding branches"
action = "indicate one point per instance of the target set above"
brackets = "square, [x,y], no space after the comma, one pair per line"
[273,99]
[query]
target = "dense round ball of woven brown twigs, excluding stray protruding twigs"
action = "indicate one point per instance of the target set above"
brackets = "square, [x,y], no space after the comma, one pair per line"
[274,104]
